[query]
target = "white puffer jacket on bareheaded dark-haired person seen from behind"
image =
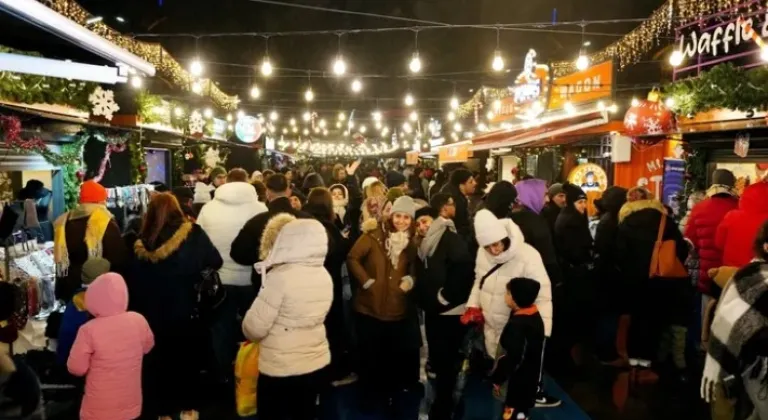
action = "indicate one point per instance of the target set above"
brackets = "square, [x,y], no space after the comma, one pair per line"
[233,205]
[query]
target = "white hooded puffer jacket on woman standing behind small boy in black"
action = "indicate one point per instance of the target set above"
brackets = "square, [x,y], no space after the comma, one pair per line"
[520,260]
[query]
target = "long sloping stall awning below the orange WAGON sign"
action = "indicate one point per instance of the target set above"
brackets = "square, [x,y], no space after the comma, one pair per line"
[529,134]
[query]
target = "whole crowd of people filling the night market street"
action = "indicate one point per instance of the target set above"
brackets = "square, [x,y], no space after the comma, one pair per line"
[503,285]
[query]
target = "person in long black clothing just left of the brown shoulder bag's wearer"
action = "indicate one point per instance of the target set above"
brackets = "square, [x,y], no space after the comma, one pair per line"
[611,290]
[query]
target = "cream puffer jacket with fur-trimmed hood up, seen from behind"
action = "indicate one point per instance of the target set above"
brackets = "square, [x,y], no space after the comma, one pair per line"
[287,318]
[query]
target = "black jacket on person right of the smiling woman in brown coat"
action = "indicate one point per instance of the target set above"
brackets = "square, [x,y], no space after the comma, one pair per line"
[449,271]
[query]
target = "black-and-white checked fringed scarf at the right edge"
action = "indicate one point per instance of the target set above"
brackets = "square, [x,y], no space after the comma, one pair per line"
[736,321]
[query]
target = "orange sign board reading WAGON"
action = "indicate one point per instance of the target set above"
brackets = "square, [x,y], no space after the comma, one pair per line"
[588,85]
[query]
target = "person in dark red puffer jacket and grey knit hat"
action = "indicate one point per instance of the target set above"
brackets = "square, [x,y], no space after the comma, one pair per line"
[702,225]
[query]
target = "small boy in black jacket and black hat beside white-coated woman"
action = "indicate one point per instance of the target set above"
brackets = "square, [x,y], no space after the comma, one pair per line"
[521,345]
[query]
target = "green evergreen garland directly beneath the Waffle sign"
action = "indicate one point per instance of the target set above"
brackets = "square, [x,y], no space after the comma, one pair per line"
[724,86]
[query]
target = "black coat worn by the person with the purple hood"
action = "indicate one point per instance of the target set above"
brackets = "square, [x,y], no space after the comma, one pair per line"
[537,234]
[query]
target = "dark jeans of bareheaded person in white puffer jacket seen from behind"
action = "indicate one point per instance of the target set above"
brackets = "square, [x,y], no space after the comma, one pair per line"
[227,332]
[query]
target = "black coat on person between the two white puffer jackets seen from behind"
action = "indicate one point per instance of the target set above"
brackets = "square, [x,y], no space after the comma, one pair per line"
[245,247]
